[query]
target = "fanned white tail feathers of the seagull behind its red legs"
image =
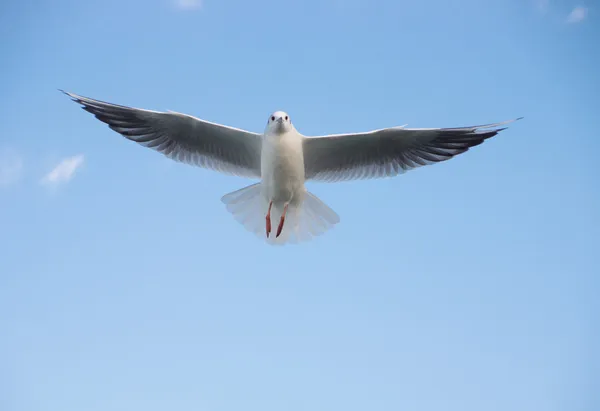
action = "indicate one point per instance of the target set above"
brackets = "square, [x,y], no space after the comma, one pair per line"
[303,222]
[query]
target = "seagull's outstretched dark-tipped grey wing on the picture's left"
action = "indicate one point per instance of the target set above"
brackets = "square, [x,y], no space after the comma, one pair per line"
[181,137]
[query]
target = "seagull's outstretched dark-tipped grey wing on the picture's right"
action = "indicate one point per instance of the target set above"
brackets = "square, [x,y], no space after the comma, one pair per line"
[388,152]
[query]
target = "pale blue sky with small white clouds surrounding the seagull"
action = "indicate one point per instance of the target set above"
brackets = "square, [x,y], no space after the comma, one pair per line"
[467,285]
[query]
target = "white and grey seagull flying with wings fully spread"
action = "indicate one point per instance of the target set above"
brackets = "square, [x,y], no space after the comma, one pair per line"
[282,160]
